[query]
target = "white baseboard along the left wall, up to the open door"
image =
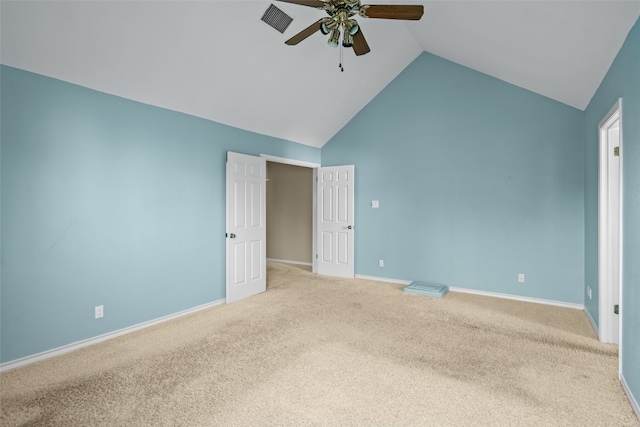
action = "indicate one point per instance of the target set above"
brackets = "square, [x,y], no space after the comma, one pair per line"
[100,338]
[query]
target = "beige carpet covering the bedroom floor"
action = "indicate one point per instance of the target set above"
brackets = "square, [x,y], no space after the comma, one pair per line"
[323,352]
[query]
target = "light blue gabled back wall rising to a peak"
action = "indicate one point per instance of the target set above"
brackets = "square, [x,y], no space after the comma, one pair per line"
[478,180]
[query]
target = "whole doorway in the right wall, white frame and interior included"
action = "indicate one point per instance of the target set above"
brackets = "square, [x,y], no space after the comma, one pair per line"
[609,225]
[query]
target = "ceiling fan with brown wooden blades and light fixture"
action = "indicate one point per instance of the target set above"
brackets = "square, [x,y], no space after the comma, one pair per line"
[342,27]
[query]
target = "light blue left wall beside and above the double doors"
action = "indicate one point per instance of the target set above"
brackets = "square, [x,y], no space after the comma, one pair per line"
[108,201]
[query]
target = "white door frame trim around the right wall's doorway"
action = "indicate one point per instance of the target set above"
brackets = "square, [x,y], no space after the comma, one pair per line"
[605,286]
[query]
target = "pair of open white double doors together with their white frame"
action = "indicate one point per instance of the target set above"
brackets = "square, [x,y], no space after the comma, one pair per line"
[332,233]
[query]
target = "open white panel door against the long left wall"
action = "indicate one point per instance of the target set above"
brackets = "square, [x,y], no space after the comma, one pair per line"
[246,226]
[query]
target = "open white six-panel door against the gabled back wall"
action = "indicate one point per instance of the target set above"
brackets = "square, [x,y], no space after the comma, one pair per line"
[335,215]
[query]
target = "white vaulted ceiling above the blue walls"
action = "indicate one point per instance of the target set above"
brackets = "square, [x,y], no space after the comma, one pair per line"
[219,61]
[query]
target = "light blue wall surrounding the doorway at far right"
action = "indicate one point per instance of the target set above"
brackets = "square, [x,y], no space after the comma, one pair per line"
[622,81]
